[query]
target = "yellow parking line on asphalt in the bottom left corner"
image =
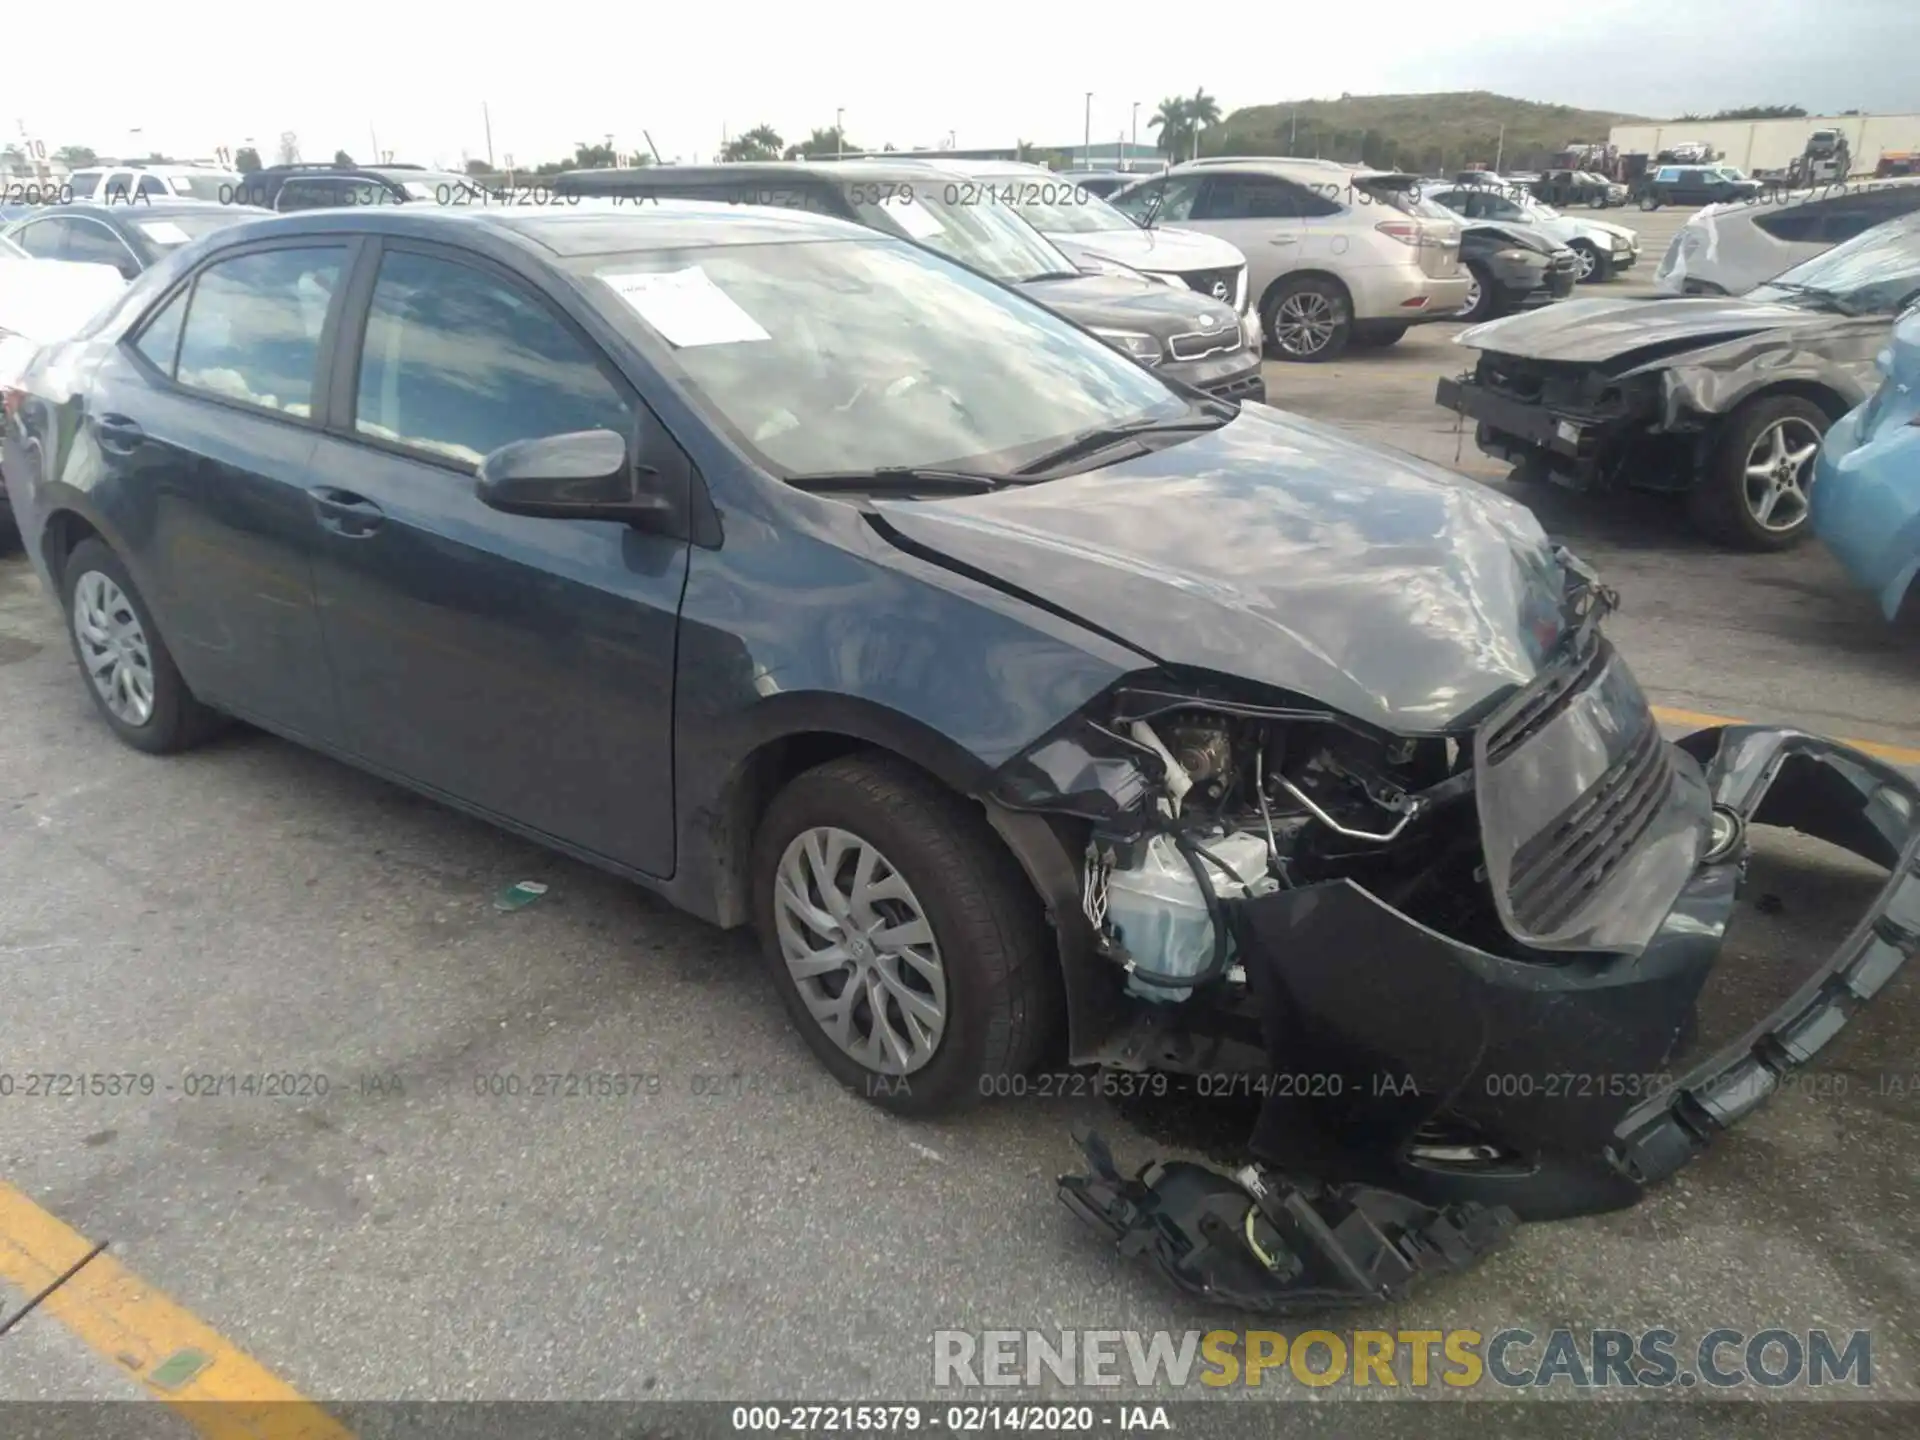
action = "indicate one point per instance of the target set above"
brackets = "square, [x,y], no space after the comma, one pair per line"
[222,1391]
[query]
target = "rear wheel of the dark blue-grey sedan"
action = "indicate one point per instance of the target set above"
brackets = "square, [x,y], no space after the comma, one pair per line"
[130,671]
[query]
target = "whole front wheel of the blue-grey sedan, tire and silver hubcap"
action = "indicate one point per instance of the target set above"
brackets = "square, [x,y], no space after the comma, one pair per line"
[907,944]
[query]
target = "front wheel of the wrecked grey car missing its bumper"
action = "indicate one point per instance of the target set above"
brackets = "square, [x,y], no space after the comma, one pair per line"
[1754,492]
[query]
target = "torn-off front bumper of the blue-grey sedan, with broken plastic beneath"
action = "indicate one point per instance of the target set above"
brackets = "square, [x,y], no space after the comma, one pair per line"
[1439,1092]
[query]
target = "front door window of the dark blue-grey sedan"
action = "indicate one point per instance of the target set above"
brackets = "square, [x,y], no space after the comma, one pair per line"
[460,364]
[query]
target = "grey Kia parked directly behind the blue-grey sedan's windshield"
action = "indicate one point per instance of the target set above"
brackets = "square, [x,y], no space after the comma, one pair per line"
[1164,325]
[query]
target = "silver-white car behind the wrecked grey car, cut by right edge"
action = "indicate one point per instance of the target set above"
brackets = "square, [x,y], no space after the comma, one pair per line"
[1727,251]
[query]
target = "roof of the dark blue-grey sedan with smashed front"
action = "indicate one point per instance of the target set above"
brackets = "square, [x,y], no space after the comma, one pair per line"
[565,231]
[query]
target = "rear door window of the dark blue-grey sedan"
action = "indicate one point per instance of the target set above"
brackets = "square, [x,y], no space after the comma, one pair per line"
[254,327]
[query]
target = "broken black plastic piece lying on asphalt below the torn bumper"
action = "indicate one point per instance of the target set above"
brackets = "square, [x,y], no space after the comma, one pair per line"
[1268,1245]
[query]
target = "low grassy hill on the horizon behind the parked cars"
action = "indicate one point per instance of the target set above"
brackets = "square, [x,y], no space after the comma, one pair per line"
[1412,132]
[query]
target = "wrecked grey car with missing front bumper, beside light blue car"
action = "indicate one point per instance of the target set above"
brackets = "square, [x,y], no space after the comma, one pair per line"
[1719,398]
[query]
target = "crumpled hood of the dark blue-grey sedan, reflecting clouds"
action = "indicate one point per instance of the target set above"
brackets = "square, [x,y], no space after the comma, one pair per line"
[1287,554]
